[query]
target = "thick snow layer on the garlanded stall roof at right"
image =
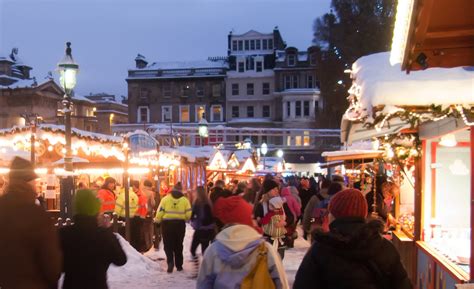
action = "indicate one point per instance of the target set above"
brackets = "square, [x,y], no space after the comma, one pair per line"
[376,82]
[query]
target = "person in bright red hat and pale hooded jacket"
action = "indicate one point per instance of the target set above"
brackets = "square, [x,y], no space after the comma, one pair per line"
[237,250]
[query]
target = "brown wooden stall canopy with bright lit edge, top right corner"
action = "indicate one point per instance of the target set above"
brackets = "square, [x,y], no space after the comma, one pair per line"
[433,33]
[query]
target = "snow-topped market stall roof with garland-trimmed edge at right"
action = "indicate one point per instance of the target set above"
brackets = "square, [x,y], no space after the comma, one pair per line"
[381,93]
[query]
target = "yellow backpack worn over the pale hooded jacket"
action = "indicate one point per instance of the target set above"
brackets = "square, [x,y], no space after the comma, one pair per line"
[259,277]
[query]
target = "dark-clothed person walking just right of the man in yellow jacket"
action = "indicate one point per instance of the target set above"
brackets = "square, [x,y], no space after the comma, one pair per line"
[202,221]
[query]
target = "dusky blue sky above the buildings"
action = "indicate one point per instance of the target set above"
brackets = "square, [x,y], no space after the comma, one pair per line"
[106,35]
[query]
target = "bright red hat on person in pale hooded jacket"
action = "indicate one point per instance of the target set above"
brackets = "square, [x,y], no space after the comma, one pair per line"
[233,210]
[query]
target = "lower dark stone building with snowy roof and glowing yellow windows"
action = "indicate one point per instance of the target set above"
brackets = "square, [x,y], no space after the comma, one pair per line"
[177,92]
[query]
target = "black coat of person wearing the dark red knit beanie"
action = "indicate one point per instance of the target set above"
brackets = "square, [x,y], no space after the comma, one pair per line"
[353,255]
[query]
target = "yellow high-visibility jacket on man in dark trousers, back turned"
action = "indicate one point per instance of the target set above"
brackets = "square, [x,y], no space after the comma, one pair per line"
[173,209]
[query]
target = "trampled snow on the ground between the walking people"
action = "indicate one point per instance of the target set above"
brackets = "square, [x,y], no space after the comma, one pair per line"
[149,271]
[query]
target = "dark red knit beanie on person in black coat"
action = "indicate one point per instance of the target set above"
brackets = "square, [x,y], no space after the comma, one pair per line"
[348,203]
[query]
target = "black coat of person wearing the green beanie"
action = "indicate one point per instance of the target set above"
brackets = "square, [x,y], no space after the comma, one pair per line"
[88,251]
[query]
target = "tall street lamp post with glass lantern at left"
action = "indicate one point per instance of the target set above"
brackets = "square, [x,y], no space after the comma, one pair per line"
[68,70]
